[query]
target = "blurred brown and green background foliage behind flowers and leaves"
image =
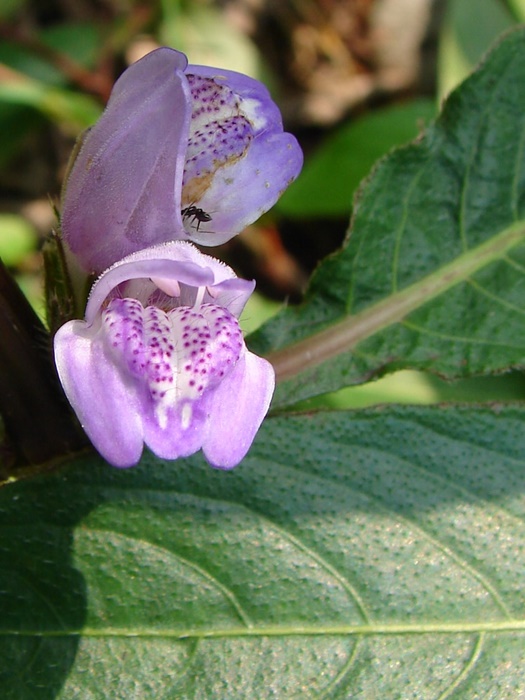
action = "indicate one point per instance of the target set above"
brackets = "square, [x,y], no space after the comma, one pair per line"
[353,78]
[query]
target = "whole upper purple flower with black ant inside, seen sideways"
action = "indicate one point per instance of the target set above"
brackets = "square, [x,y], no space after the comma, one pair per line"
[181,152]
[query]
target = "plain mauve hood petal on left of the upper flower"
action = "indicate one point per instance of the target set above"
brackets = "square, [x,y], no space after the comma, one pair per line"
[123,192]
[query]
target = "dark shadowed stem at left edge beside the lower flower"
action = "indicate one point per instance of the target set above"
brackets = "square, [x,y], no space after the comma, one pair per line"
[38,423]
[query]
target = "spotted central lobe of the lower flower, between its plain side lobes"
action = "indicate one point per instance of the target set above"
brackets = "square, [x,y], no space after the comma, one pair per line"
[177,359]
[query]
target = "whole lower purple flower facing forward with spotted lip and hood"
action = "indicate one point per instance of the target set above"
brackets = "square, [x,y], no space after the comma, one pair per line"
[160,359]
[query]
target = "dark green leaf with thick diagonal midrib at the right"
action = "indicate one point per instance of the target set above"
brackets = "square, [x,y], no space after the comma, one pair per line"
[432,276]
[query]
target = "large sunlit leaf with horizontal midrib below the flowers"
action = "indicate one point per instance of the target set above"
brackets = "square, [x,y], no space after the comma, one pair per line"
[378,554]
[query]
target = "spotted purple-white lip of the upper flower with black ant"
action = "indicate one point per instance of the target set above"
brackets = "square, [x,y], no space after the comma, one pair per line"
[238,160]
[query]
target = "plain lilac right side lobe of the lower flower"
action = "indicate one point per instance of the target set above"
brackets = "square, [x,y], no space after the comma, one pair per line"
[237,409]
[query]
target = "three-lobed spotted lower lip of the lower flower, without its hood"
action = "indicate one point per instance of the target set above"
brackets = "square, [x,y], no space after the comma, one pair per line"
[163,369]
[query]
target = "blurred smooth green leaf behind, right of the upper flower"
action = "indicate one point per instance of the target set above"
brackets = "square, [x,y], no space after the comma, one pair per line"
[331,177]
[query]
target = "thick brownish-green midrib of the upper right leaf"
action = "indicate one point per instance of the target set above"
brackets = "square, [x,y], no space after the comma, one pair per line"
[348,333]
